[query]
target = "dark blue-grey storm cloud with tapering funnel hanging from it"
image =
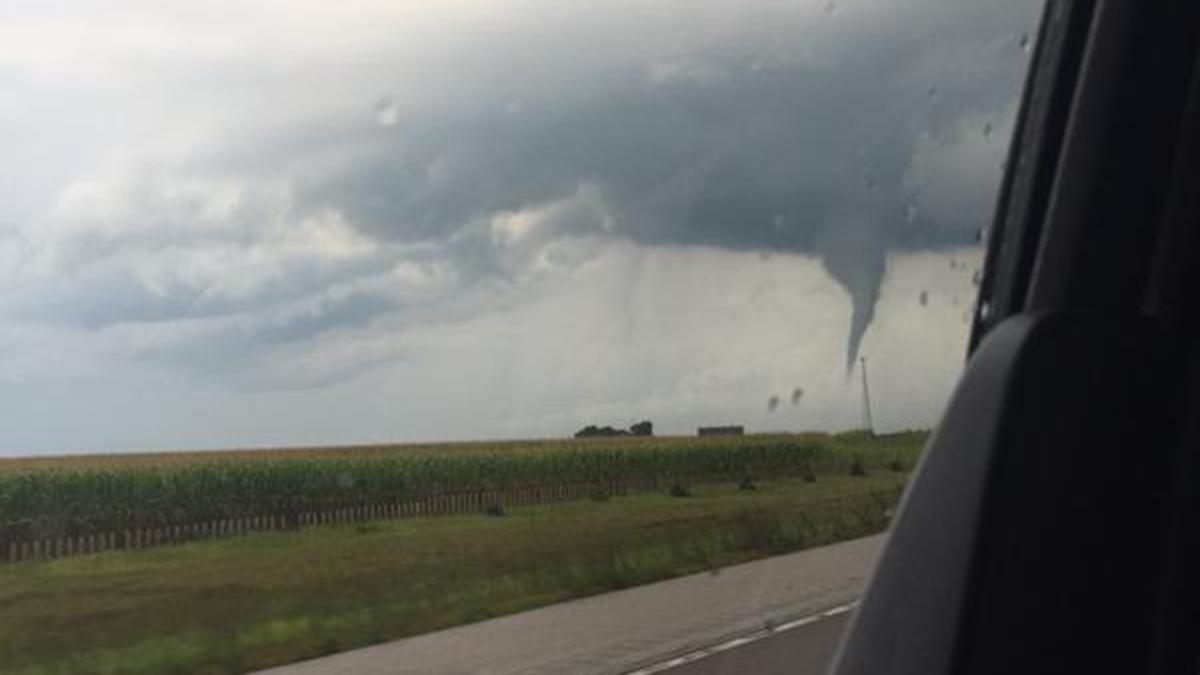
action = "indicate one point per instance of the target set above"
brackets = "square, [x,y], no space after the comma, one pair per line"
[725,146]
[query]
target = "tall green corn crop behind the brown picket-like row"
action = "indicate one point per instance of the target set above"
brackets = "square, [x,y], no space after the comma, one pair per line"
[67,500]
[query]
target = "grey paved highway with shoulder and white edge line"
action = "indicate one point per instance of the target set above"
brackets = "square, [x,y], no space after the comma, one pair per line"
[775,616]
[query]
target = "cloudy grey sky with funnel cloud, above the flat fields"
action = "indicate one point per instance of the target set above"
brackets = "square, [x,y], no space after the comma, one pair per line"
[238,224]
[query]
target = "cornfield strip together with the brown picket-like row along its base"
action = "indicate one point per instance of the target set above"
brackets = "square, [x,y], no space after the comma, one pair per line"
[59,506]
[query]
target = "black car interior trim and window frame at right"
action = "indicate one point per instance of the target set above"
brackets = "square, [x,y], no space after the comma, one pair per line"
[1052,527]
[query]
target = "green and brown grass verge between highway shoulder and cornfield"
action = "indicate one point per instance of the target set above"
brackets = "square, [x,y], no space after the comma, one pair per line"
[232,606]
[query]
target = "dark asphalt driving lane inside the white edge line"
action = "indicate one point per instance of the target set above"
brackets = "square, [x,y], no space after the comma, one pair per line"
[806,650]
